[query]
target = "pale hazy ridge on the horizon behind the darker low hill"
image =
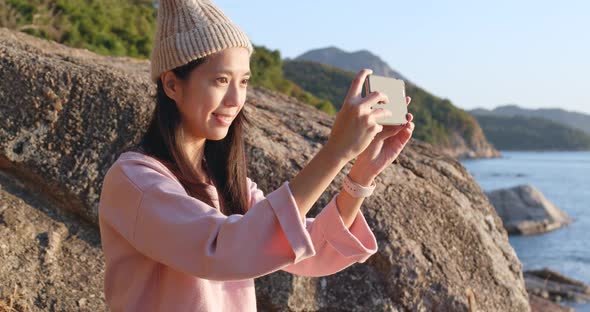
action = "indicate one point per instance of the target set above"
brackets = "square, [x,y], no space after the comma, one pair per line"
[567,118]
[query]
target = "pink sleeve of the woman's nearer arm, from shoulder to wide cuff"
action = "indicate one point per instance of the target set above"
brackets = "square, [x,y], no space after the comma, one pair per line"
[157,217]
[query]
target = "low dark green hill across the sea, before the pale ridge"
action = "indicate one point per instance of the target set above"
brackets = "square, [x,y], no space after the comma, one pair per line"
[531,133]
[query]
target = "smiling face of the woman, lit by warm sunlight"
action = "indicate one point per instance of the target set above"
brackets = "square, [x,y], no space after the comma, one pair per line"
[214,89]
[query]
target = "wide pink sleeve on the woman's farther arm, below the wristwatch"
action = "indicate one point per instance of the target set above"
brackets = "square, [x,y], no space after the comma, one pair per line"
[337,247]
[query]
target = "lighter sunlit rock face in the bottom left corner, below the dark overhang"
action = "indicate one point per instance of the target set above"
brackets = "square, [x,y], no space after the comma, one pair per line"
[43,244]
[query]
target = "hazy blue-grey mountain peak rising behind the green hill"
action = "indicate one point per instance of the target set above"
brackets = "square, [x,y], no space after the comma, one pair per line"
[350,61]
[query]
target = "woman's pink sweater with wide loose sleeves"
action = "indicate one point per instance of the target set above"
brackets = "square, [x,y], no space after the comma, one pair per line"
[167,251]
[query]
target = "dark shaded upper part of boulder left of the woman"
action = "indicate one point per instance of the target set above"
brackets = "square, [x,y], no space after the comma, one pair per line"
[67,111]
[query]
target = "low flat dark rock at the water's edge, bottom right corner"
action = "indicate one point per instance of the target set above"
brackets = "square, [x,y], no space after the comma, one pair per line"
[555,286]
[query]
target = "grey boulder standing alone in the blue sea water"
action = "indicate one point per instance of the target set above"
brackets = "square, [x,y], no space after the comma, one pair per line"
[524,210]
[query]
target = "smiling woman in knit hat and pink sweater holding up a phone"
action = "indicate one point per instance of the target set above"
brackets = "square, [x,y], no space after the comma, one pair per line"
[182,227]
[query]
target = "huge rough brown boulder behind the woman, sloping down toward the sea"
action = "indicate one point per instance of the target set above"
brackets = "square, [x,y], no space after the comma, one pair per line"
[66,115]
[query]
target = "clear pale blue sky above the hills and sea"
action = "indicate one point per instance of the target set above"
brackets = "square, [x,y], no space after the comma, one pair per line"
[530,53]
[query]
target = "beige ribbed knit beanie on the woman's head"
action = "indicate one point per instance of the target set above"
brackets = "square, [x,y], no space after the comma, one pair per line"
[190,29]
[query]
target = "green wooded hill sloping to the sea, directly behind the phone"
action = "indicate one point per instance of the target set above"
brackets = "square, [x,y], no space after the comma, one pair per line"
[437,120]
